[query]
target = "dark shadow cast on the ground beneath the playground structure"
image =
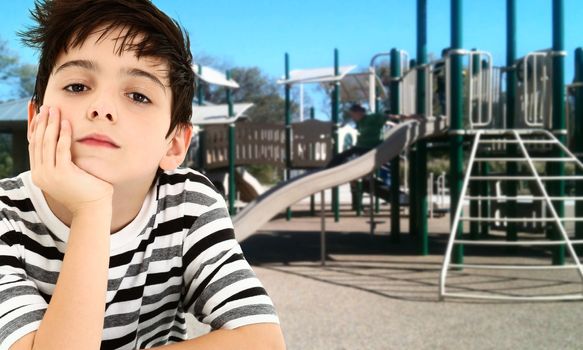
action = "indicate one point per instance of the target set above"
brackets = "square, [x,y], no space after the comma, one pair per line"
[378,265]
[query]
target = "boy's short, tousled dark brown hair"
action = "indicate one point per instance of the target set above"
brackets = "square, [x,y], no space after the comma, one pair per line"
[147,31]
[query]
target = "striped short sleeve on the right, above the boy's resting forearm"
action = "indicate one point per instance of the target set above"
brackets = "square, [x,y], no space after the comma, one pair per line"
[220,288]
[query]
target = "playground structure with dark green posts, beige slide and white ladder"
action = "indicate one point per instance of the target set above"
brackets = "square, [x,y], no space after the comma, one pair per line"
[513,117]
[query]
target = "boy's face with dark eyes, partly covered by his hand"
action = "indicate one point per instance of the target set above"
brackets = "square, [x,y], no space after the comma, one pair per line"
[119,108]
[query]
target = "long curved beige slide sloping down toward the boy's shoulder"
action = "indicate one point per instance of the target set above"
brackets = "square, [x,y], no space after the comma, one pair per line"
[274,201]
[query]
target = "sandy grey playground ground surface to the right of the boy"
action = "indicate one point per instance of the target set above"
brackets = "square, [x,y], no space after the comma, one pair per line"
[375,294]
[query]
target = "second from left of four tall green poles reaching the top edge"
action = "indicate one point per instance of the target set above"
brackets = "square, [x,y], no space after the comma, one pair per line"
[456,139]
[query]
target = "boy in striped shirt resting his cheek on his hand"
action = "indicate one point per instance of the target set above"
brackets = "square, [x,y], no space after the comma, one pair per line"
[105,243]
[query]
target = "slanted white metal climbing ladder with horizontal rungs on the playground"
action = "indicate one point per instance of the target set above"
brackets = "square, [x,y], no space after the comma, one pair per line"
[523,139]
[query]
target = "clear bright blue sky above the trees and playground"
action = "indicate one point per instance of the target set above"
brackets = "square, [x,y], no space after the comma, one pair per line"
[259,32]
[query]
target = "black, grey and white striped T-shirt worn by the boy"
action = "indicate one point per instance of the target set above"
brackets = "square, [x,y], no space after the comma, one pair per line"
[178,255]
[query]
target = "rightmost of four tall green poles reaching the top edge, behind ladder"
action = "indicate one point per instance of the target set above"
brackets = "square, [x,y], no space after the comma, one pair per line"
[558,168]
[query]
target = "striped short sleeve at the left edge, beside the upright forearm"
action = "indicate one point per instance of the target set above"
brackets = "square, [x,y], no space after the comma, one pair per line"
[21,305]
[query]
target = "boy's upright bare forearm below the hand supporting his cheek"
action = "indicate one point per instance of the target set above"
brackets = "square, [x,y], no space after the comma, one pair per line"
[74,318]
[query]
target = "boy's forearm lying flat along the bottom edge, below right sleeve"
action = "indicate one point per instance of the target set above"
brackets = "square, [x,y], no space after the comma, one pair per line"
[255,337]
